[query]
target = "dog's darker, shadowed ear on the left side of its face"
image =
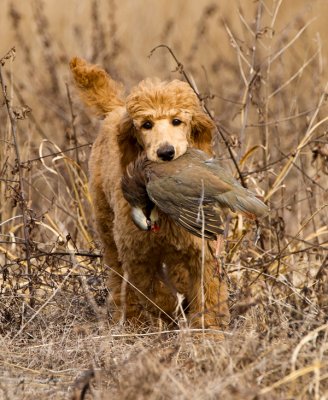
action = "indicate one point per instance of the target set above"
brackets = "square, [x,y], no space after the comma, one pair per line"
[128,142]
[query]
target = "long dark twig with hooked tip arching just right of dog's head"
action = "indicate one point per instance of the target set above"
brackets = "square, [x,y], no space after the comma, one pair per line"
[180,68]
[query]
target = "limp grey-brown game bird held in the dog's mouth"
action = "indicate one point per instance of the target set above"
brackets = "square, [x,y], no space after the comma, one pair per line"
[194,190]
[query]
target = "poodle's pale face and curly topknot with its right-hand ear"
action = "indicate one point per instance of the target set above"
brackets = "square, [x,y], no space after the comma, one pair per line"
[165,118]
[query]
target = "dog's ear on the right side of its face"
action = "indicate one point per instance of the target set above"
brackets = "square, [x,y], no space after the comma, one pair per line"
[202,128]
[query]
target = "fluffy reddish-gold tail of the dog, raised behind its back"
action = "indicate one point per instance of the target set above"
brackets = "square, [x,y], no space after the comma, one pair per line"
[97,89]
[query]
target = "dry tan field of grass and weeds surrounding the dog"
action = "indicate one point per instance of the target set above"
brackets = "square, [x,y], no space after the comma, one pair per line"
[261,70]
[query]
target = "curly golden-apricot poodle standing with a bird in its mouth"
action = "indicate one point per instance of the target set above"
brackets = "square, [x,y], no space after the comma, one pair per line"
[148,269]
